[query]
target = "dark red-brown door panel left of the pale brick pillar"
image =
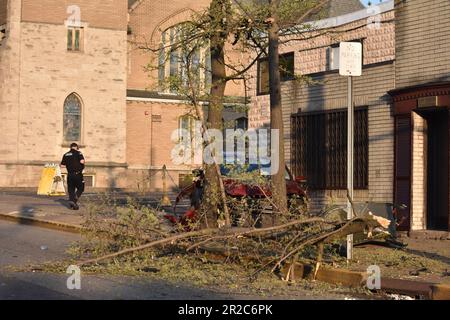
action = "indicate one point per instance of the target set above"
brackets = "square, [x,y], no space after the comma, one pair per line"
[403,170]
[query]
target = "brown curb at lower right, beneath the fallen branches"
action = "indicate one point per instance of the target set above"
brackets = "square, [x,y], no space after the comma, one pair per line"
[355,279]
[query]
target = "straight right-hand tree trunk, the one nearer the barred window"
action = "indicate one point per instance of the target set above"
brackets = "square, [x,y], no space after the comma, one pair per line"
[276,113]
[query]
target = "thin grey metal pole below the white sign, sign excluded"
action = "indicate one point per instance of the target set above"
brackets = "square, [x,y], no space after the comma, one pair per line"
[350,162]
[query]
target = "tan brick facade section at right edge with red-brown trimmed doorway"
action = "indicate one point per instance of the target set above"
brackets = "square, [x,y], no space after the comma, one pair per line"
[421,99]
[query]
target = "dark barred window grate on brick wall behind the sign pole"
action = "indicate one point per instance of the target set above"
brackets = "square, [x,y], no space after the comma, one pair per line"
[319,148]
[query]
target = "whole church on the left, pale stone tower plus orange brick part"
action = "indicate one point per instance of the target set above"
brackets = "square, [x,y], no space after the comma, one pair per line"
[74,71]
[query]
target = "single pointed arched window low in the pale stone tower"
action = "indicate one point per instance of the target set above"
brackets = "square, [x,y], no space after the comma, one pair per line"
[72,118]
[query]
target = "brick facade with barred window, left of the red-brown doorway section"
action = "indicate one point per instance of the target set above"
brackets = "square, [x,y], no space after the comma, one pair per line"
[315,112]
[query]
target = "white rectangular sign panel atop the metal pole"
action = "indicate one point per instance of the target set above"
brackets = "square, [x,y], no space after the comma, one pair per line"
[350,59]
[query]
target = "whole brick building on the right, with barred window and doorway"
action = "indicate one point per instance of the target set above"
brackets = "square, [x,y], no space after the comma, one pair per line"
[401,120]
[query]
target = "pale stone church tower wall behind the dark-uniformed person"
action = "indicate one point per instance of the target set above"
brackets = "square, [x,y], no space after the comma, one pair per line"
[63,76]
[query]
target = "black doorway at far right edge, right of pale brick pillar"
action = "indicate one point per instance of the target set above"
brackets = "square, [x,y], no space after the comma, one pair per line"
[437,170]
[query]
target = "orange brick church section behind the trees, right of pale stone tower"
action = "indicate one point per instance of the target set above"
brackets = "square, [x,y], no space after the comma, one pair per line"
[156,110]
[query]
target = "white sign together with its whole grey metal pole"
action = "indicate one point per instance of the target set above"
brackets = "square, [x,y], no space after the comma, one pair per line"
[350,65]
